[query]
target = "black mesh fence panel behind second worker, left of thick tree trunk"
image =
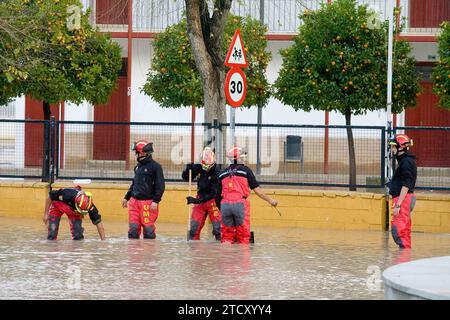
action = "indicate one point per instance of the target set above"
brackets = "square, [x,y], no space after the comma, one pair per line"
[102,150]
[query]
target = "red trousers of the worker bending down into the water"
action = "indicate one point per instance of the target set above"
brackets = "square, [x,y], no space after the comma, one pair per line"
[56,210]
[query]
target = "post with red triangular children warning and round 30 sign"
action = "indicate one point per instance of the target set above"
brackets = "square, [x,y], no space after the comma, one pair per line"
[235,82]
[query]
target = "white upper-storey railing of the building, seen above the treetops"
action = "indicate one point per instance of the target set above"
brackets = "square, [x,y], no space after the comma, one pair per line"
[421,17]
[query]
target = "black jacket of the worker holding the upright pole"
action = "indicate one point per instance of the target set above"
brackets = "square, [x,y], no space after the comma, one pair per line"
[207,182]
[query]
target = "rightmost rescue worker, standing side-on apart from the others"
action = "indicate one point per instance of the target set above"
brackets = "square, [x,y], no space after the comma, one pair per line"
[402,190]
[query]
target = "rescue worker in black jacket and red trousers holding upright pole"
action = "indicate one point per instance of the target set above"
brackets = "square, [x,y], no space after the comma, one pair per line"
[207,174]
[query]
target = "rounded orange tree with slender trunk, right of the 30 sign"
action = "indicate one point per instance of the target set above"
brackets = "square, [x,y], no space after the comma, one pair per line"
[338,62]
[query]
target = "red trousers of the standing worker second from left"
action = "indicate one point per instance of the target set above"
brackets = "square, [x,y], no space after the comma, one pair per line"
[140,217]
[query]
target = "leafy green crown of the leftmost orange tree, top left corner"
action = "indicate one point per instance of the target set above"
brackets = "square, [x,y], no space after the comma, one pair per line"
[55,62]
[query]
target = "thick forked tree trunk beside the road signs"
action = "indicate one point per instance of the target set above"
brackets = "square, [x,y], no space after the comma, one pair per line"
[205,36]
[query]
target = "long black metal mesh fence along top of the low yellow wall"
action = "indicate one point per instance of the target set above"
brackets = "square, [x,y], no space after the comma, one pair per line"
[298,155]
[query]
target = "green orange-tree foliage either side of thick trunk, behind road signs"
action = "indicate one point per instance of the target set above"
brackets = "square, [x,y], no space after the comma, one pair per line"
[174,81]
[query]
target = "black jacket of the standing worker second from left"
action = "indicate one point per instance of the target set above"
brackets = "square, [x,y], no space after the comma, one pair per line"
[148,182]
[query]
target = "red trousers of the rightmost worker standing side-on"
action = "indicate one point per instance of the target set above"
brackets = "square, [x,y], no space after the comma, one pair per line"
[401,224]
